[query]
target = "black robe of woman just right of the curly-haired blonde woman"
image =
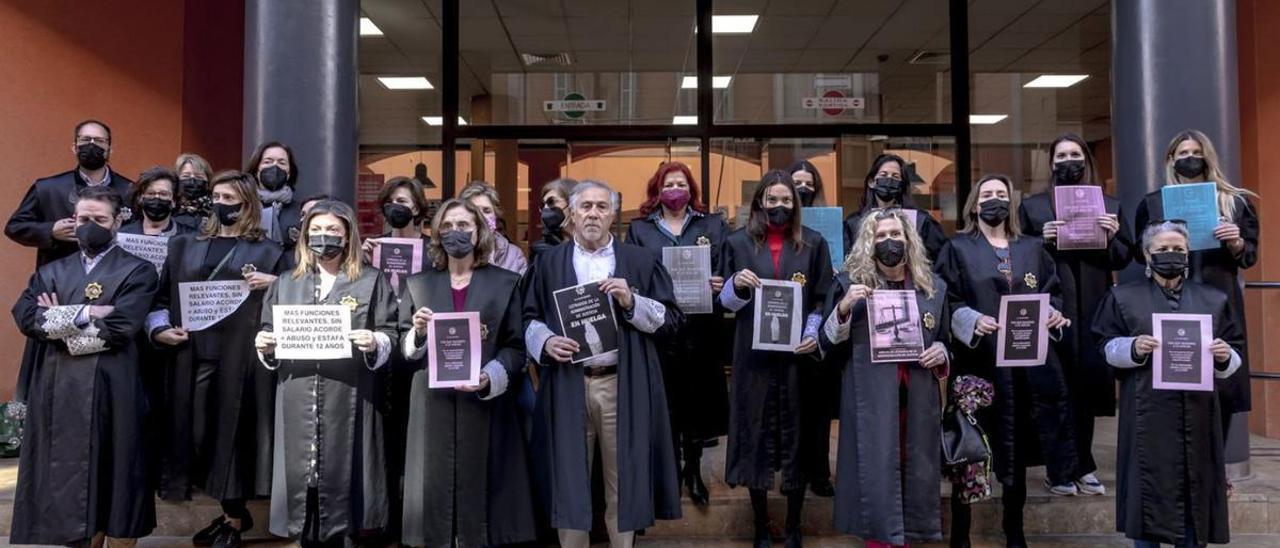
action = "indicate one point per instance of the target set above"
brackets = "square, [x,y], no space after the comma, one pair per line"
[1030,422]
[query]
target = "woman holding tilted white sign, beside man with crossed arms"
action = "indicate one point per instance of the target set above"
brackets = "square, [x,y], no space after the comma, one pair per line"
[221,403]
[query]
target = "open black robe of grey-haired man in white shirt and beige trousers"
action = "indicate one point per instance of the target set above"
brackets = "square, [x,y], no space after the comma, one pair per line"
[648,486]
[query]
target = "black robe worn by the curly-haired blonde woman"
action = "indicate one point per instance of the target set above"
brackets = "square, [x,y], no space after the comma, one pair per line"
[876,499]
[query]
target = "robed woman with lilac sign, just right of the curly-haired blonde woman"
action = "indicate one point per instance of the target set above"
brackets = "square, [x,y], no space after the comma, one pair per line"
[1030,423]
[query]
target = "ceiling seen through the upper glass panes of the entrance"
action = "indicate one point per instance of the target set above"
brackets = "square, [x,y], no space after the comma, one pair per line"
[1011,43]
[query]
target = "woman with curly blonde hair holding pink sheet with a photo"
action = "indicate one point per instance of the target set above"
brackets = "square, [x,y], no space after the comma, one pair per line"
[889,257]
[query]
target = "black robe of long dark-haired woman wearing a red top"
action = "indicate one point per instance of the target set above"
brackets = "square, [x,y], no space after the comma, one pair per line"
[766,396]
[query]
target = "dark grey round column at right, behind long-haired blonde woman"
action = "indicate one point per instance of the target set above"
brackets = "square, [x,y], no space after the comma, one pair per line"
[1174,67]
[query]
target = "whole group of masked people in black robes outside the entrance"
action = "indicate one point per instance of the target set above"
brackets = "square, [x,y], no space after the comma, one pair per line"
[126,403]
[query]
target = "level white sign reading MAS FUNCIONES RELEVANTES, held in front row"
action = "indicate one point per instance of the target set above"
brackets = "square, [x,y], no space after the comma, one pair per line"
[312,332]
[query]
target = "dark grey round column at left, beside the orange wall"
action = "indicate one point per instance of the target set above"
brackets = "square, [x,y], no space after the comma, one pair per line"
[300,88]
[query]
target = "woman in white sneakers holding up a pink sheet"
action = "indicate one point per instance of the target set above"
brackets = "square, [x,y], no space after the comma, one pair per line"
[1086,259]
